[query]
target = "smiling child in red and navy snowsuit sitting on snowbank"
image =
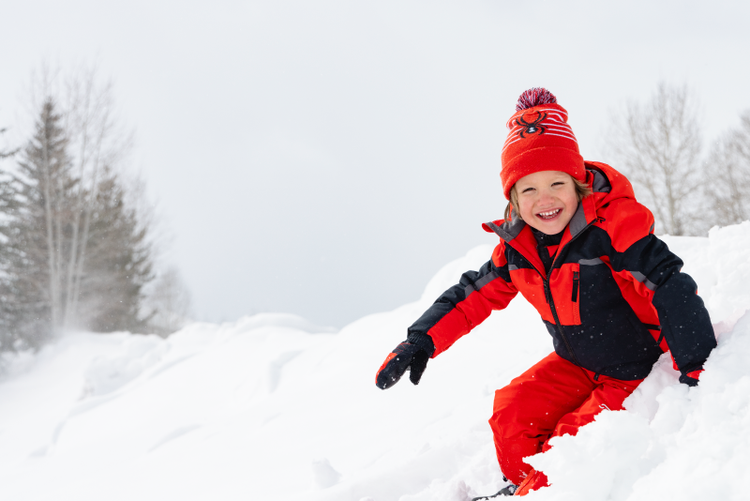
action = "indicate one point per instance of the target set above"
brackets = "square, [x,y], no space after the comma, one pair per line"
[577,245]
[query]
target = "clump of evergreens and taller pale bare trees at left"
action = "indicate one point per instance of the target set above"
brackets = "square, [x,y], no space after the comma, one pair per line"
[76,242]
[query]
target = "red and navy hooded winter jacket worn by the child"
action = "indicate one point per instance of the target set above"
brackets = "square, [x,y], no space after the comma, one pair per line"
[613,301]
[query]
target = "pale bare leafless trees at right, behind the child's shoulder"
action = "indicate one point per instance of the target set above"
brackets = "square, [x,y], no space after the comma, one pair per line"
[659,145]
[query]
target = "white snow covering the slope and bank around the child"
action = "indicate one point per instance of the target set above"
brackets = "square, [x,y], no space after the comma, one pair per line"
[273,407]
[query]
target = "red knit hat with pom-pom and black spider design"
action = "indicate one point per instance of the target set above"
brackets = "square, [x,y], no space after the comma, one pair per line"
[539,139]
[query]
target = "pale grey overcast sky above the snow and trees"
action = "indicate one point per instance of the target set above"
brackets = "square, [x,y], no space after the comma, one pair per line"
[326,158]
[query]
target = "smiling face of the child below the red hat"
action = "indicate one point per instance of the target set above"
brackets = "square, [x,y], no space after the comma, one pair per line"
[547,200]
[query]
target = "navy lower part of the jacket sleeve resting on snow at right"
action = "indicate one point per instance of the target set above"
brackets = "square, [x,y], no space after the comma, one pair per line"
[684,321]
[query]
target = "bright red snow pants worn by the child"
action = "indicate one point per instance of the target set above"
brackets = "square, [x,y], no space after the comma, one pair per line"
[553,398]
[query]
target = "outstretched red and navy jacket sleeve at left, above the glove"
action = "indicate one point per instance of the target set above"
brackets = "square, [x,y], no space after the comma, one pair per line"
[465,305]
